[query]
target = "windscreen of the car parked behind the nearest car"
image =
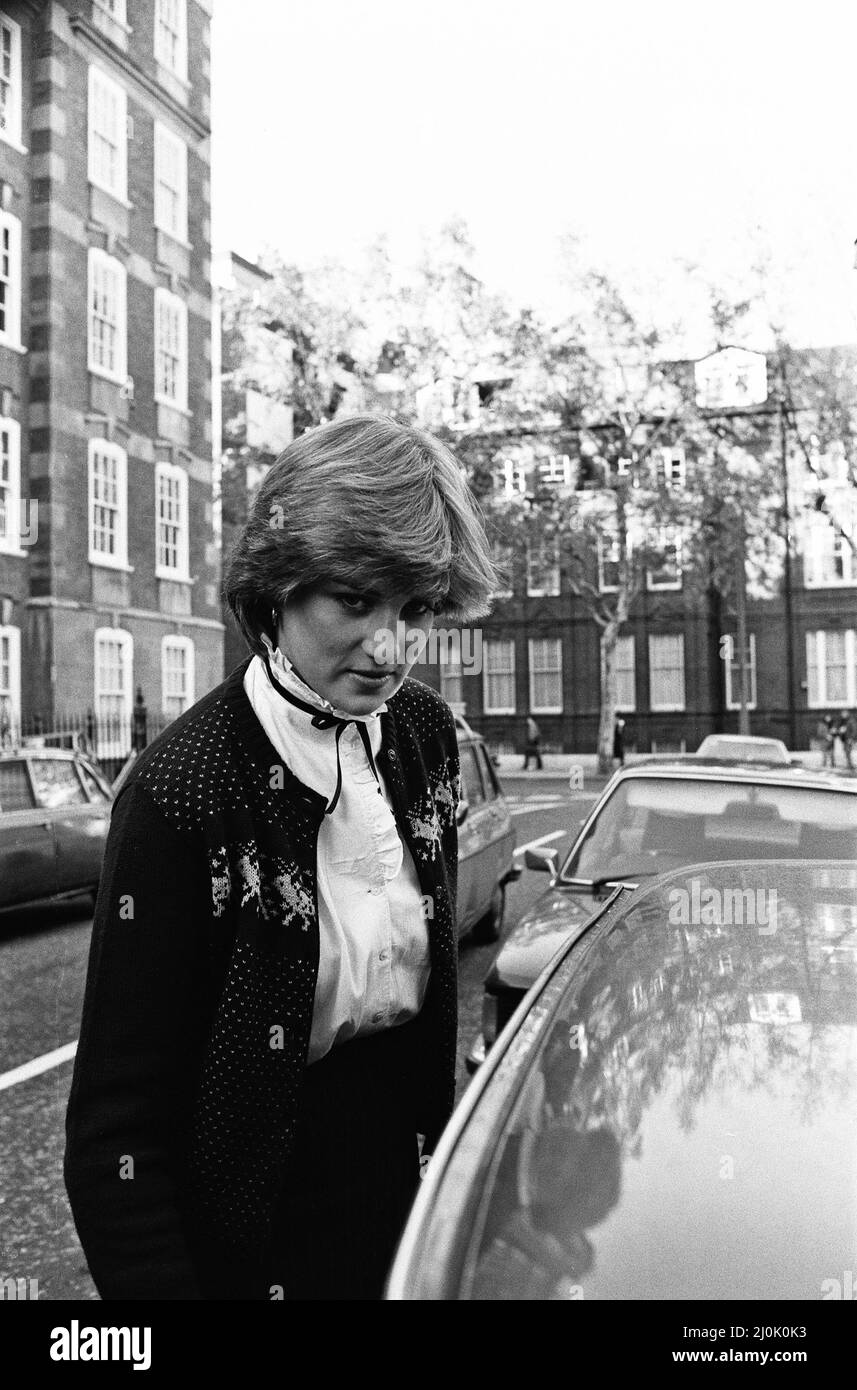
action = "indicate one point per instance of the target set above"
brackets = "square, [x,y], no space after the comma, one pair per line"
[652,825]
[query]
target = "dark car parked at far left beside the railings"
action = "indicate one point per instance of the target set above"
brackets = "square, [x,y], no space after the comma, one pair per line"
[55,817]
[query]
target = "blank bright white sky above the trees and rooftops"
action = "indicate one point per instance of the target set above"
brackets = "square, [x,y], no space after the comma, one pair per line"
[654,133]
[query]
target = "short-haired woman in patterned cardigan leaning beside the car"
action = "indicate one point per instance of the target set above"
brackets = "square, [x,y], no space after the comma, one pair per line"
[270,1013]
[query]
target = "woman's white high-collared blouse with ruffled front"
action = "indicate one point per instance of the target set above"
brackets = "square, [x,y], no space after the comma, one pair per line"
[374,956]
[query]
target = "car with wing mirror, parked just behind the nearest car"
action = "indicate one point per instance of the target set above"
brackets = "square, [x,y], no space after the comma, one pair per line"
[651,819]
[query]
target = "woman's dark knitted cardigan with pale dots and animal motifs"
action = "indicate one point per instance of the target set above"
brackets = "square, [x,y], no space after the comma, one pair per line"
[202,981]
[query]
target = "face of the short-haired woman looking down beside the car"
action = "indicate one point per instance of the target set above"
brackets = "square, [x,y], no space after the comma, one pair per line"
[353,648]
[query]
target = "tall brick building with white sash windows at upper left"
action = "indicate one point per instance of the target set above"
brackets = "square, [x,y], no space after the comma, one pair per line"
[109,555]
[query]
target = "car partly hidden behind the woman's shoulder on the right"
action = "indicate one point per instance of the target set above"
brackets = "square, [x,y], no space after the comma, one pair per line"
[487,842]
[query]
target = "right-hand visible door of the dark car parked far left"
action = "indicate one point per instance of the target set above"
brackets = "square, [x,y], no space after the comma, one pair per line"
[80,824]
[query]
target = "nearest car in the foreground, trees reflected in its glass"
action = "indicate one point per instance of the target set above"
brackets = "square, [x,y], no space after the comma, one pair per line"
[672,1113]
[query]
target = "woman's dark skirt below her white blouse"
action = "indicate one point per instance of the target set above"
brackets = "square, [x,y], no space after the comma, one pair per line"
[351,1182]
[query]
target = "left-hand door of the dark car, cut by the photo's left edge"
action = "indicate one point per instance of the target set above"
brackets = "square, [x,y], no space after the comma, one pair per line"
[28,853]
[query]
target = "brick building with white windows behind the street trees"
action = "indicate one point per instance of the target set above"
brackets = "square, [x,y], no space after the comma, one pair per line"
[541,650]
